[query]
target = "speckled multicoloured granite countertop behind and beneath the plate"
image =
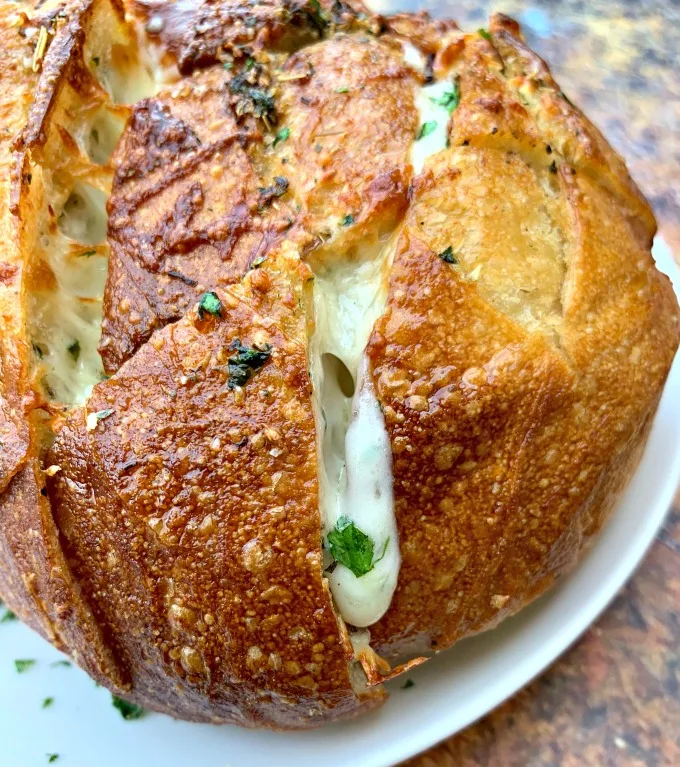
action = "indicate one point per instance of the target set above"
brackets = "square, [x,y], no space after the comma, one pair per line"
[614,699]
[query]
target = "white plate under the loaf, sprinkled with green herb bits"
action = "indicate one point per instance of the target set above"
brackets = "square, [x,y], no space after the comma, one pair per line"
[450,691]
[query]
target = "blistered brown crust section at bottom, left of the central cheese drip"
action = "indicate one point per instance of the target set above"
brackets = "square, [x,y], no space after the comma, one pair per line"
[207,573]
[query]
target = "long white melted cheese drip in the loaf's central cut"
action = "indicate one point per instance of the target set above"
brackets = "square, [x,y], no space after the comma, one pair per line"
[355,477]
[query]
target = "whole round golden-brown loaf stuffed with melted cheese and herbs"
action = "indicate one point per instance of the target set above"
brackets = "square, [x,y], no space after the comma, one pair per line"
[344,278]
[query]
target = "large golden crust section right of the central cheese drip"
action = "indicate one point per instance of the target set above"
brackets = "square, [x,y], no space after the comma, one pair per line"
[515,419]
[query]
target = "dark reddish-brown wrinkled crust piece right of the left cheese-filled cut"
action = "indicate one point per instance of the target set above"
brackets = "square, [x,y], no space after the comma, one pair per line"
[189,209]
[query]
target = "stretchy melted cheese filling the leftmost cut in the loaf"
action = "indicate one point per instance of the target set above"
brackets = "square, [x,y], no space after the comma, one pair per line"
[65,309]
